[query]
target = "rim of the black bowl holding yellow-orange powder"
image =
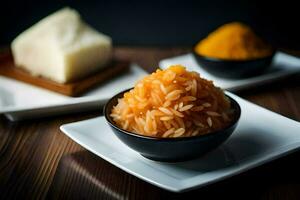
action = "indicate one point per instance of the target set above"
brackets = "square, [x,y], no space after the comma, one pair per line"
[214,59]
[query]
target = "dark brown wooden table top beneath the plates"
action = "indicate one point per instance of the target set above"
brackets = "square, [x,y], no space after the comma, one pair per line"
[37,161]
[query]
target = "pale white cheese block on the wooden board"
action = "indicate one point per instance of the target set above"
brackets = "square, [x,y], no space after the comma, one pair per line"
[61,47]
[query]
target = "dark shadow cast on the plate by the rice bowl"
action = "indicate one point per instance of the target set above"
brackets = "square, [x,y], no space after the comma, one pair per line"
[239,149]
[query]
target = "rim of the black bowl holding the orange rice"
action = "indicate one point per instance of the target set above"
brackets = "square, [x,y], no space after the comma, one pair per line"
[161,139]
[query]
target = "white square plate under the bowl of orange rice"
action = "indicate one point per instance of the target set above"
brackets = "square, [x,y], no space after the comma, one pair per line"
[261,136]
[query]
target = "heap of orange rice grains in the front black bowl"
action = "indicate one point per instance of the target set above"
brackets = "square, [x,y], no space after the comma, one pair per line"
[173,103]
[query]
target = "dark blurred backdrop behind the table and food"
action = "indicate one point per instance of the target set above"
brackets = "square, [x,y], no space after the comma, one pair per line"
[161,23]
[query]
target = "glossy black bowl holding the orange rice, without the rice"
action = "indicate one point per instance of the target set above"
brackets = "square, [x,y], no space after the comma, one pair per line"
[171,149]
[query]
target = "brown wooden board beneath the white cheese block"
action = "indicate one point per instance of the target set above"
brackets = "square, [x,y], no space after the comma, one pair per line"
[8,69]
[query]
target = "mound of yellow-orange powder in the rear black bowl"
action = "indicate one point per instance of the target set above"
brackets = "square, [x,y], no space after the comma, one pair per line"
[234,41]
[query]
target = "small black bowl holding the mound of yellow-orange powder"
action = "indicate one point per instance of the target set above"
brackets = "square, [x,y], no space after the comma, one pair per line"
[234,69]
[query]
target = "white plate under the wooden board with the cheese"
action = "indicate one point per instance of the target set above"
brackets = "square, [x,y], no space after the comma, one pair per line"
[19,100]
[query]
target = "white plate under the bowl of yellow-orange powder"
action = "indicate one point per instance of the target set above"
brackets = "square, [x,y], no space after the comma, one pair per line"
[281,66]
